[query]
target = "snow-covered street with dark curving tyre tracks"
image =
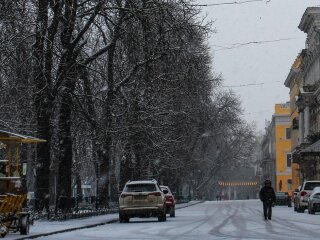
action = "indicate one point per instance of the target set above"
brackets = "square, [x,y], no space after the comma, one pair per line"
[210,220]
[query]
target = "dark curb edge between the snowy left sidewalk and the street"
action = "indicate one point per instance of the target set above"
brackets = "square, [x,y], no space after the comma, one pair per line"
[87,226]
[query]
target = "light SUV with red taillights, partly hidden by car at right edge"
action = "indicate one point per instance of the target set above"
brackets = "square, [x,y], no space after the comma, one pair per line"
[304,194]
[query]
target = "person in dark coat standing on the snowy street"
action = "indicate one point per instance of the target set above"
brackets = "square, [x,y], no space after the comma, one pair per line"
[268,197]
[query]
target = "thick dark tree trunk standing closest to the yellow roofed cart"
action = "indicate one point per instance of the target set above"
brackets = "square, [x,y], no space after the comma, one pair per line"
[42,107]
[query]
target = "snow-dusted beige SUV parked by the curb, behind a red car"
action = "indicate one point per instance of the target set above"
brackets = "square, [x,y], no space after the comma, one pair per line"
[142,199]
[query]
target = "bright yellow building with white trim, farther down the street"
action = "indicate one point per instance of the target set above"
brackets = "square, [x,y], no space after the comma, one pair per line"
[282,140]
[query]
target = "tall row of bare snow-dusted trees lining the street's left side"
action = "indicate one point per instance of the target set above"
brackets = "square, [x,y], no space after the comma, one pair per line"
[121,90]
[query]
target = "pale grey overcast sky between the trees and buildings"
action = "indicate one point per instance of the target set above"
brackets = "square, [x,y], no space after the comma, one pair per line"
[264,66]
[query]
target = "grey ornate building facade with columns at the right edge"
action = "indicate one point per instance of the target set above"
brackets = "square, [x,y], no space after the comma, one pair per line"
[306,153]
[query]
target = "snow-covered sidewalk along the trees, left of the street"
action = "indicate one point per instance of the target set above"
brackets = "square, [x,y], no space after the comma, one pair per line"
[45,228]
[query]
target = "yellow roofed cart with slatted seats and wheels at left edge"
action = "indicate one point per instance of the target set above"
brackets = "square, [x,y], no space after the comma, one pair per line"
[12,216]
